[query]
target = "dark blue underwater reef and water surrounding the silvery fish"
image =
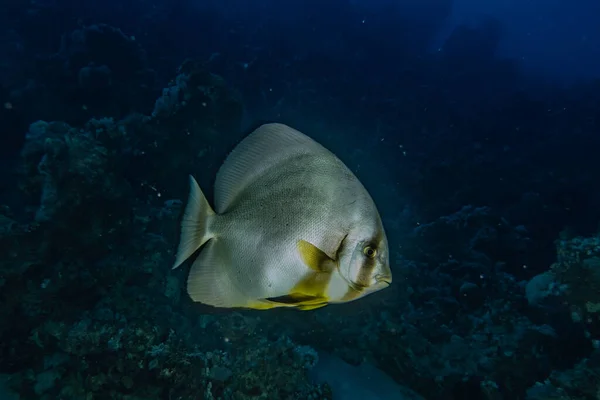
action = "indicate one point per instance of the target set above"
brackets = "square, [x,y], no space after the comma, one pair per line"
[475,126]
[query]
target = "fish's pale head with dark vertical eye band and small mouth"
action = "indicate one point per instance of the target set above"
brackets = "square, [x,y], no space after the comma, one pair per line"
[364,260]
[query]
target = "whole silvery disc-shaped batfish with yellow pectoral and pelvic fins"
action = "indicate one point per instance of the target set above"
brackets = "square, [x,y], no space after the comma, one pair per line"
[292,227]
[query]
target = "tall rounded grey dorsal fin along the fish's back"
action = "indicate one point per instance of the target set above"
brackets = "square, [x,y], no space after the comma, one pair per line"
[267,146]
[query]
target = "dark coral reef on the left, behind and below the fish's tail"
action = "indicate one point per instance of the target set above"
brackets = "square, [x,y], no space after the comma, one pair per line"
[85,234]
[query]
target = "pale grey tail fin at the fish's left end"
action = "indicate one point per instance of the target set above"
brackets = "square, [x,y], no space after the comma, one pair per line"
[195,224]
